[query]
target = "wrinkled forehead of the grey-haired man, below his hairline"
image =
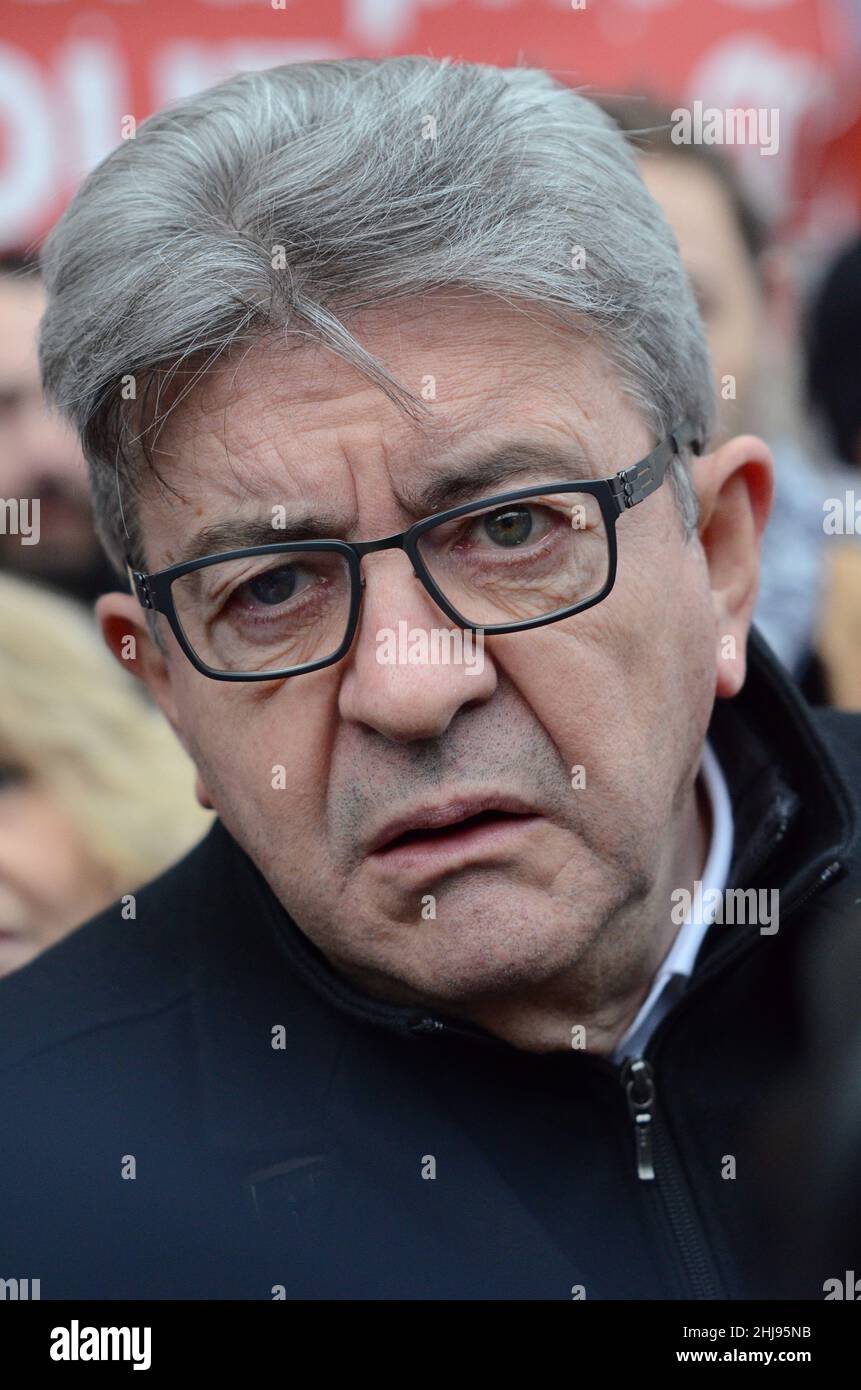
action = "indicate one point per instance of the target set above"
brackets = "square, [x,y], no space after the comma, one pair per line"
[276,407]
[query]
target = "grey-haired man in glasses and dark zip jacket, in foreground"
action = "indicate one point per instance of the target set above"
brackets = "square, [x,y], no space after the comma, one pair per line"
[373,352]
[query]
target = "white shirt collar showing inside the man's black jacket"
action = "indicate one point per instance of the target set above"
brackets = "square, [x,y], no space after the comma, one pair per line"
[679,961]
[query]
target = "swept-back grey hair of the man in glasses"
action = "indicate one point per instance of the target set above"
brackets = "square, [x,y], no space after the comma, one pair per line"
[282,202]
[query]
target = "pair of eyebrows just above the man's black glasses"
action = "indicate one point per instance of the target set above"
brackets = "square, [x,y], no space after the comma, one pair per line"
[457,482]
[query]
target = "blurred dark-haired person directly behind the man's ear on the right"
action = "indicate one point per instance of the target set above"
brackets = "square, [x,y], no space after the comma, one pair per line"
[743,290]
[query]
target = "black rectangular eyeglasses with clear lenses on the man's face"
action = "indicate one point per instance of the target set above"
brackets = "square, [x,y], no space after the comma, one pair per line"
[503,565]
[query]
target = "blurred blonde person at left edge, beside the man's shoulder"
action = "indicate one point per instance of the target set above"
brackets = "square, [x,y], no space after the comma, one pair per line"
[97,796]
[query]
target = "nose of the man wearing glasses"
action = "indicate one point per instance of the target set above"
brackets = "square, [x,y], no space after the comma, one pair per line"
[411,671]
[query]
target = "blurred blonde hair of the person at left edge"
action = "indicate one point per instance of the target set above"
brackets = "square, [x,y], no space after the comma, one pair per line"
[84,732]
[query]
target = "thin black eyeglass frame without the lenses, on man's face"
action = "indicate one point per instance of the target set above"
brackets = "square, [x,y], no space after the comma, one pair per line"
[615,496]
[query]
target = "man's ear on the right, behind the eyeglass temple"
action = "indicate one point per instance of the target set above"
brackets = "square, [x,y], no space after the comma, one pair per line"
[735,486]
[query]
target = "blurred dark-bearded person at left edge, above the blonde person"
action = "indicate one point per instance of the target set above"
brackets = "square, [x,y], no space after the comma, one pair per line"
[40,455]
